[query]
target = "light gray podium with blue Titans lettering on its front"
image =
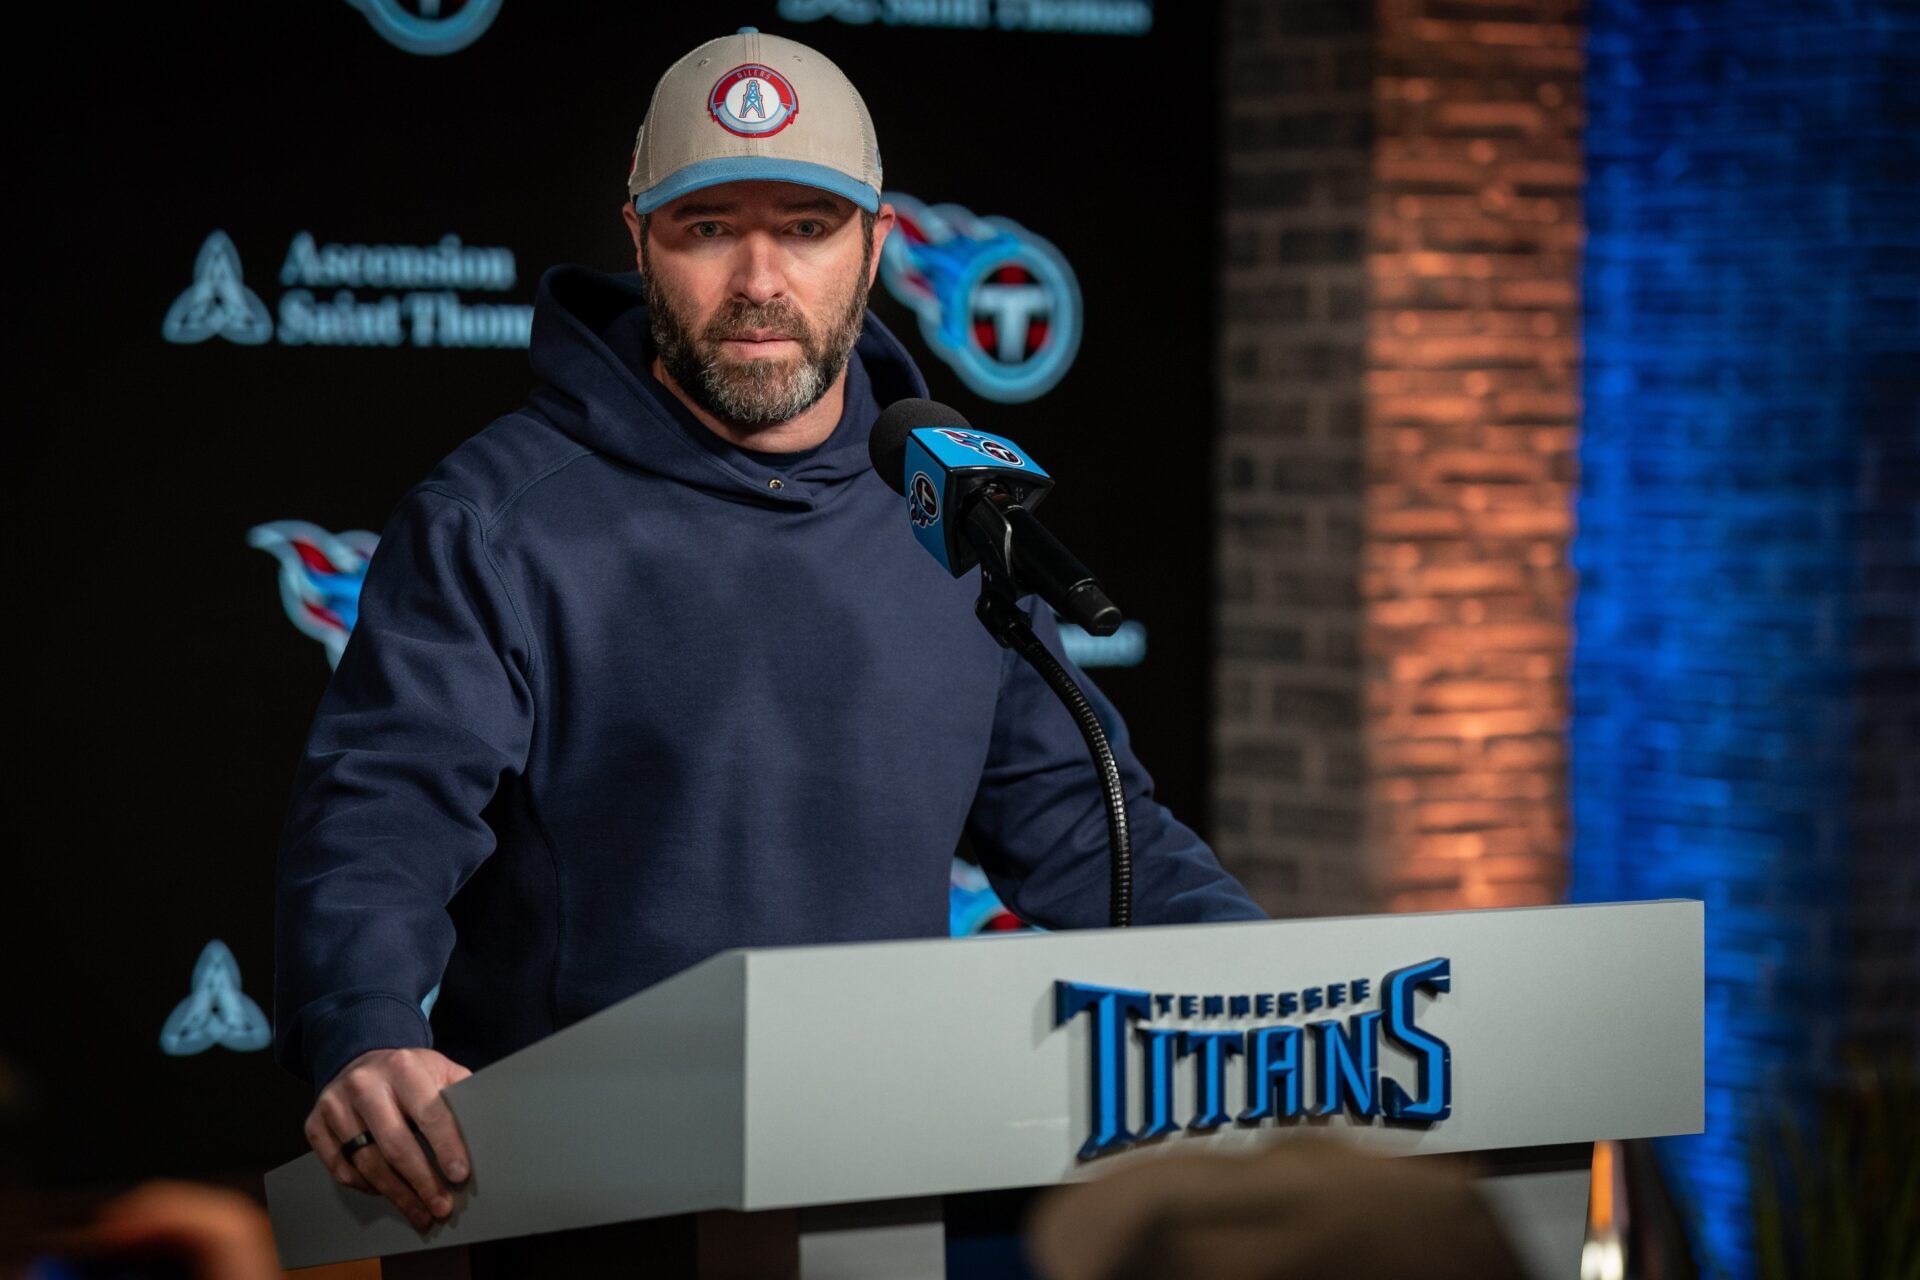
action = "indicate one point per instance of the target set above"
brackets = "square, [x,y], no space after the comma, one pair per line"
[823,1110]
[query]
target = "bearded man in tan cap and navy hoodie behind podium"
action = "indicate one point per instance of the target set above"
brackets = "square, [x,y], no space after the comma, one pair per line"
[654,667]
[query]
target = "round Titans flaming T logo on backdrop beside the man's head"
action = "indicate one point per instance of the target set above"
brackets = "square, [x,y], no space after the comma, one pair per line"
[996,302]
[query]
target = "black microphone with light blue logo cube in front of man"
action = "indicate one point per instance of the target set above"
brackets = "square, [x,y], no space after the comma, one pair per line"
[971,500]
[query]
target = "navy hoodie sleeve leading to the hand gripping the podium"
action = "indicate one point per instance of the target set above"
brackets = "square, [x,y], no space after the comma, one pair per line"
[429,709]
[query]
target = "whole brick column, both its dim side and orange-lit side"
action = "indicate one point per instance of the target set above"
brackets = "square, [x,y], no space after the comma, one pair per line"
[1397,454]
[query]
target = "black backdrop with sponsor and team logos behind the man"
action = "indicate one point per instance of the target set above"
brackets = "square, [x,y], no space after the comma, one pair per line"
[166,696]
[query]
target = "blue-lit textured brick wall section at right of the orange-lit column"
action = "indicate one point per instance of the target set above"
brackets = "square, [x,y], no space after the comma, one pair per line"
[1739,174]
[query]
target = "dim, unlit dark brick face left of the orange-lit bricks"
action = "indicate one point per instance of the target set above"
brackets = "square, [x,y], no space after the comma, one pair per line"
[1289,801]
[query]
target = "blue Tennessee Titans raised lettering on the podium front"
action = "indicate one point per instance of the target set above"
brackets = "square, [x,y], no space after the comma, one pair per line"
[1339,1056]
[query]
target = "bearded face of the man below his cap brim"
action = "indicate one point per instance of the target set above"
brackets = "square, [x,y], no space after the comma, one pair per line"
[756,295]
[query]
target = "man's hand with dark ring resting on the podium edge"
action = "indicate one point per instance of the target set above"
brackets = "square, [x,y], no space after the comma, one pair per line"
[381,1091]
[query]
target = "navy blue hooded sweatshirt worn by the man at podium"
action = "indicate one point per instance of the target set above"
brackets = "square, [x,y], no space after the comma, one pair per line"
[617,703]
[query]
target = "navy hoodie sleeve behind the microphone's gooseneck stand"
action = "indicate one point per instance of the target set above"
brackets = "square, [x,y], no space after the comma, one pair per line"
[1040,820]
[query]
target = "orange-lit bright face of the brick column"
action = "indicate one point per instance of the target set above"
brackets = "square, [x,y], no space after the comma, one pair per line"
[1472,406]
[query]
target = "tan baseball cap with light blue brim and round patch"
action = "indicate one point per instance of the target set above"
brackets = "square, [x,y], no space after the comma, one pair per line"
[756,107]
